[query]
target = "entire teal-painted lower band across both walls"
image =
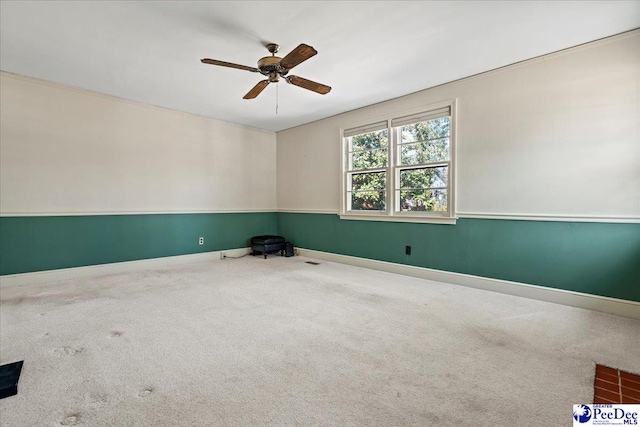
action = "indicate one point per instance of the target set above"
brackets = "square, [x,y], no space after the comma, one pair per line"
[594,258]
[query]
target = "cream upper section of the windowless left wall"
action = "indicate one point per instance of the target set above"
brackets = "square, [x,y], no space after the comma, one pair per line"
[64,150]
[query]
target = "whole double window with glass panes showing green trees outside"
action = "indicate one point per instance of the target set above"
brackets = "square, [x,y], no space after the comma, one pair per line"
[402,168]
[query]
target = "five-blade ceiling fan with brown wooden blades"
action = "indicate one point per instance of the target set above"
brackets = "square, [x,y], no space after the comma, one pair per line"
[275,67]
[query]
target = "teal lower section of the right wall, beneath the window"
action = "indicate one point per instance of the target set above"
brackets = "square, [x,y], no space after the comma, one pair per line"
[594,258]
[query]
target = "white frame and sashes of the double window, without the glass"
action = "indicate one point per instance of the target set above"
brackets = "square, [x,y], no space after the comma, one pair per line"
[392,212]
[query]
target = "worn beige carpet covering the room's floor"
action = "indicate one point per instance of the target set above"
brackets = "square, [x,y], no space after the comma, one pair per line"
[250,342]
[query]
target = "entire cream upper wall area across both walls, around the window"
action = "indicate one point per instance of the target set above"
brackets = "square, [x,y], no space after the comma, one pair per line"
[558,135]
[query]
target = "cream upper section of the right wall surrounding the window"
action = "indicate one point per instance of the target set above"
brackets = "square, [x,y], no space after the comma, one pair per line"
[553,136]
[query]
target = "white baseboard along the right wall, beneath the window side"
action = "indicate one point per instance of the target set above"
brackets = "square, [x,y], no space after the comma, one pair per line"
[558,296]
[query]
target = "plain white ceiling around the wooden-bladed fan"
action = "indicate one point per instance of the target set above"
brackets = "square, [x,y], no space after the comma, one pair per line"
[369,51]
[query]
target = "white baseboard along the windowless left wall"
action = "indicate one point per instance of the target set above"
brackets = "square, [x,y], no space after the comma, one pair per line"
[114,268]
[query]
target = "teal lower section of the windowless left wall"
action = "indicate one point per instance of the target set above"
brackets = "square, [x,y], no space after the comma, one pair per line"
[29,244]
